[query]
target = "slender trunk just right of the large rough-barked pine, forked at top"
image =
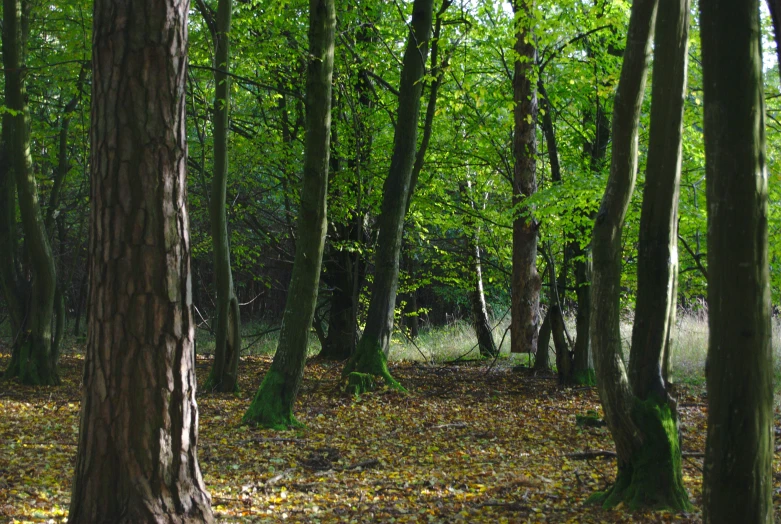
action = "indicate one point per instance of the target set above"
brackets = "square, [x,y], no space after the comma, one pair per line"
[227,349]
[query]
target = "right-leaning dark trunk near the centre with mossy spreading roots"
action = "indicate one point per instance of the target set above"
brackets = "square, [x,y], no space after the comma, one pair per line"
[371,355]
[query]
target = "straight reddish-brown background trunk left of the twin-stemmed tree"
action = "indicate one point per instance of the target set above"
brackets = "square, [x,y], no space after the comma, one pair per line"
[526,283]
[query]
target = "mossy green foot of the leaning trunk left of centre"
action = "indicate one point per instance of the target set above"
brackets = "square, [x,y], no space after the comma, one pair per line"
[272,407]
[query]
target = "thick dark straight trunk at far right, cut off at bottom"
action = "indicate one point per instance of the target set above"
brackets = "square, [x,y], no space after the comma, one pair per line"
[738,480]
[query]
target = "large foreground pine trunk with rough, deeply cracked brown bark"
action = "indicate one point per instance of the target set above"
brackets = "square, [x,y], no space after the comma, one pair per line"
[137,459]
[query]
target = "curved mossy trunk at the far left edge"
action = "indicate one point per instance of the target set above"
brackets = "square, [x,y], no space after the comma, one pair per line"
[32,360]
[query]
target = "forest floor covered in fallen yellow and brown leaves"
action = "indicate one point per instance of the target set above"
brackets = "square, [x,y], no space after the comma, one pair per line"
[470,443]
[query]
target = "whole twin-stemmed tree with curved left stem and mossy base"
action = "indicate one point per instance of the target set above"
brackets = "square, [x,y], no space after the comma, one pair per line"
[639,412]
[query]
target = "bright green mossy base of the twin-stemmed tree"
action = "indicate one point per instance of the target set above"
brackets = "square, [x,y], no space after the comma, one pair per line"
[653,478]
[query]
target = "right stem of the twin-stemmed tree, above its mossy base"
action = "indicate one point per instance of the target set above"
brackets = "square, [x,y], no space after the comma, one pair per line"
[657,264]
